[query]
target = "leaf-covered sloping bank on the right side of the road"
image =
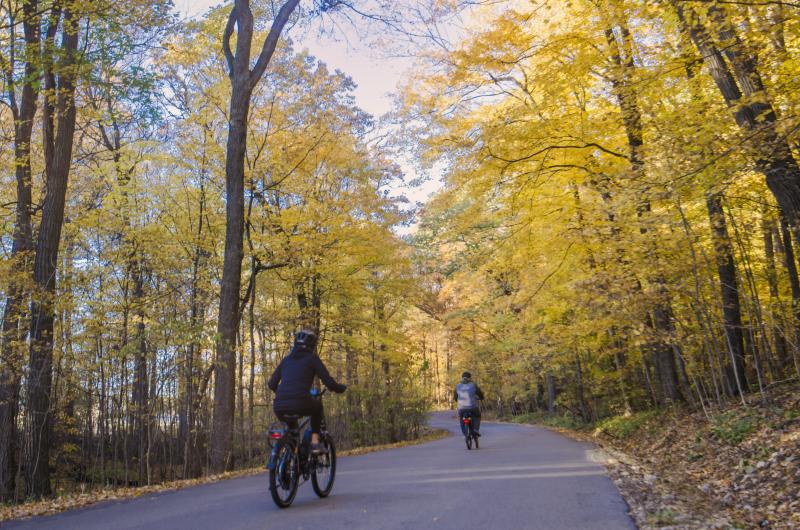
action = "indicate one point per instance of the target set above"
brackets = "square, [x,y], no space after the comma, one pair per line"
[734,467]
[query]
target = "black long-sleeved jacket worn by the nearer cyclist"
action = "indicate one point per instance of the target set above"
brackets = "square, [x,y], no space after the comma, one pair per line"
[293,378]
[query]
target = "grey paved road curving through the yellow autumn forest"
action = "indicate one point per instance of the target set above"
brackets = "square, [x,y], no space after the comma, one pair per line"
[522,477]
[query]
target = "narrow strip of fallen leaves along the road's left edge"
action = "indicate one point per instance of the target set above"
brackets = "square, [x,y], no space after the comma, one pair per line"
[70,501]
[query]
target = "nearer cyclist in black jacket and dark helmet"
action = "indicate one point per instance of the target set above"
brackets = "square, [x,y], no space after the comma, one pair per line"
[292,381]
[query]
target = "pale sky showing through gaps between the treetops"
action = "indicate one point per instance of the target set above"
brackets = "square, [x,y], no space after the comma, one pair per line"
[376,77]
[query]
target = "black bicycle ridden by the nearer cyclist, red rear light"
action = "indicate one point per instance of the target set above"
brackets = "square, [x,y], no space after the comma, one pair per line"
[291,459]
